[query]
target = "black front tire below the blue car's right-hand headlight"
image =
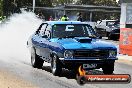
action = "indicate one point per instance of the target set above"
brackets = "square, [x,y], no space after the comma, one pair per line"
[108,68]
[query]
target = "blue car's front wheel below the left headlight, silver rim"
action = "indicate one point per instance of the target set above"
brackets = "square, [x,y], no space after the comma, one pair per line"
[56,66]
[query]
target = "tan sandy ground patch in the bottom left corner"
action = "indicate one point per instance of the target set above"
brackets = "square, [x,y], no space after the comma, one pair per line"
[8,80]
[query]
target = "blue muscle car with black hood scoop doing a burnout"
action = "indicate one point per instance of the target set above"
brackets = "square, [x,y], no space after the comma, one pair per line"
[70,44]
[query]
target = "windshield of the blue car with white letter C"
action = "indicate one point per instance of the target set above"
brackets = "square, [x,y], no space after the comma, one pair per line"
[72,30]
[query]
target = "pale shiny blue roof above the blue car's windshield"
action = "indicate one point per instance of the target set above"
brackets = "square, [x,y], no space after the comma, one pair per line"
[64,22]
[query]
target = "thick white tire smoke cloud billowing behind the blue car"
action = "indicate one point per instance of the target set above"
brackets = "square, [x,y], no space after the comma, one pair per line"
[14,34]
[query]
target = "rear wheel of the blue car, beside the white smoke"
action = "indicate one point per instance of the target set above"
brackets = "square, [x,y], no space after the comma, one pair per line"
[36,61]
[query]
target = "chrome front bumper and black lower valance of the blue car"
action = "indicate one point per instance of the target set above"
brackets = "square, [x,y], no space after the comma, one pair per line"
[75,63]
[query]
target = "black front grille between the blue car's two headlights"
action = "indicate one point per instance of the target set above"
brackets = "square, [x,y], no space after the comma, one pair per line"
[91,54]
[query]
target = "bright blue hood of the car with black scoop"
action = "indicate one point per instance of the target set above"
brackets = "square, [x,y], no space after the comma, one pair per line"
[83,43]
